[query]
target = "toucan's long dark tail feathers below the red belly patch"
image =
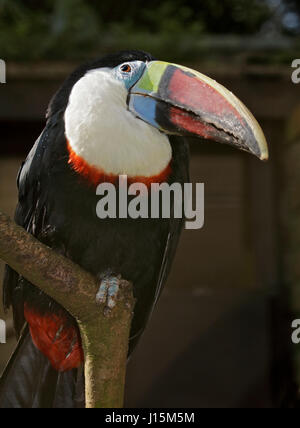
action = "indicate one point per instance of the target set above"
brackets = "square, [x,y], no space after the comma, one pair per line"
[29,381]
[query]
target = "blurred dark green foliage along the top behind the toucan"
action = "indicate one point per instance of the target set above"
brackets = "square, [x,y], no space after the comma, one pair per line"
[77,29]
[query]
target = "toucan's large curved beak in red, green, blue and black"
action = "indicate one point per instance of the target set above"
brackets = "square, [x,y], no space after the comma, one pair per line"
[181,101]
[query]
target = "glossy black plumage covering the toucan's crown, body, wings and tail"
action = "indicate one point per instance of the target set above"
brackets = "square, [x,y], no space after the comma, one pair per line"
[58,206]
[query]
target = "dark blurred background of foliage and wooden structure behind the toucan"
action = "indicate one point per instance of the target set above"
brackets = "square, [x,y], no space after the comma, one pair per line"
[221,333]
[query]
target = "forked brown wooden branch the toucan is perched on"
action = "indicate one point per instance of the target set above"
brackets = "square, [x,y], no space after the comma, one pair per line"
[105,339]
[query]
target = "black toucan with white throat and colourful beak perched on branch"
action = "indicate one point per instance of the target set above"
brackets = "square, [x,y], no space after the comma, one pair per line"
[123,114]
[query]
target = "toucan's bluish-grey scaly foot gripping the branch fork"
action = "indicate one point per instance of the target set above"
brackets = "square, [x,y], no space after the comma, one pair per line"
[108,292]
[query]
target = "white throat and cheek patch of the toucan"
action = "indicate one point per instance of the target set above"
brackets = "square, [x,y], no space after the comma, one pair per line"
[106,135]
